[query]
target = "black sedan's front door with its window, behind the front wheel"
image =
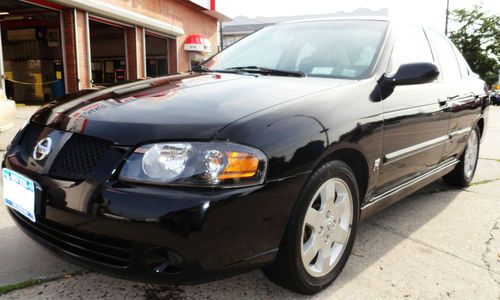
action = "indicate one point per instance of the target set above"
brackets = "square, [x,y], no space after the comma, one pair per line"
[415,124]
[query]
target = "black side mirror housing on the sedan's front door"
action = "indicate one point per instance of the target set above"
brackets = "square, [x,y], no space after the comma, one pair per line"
[415,73]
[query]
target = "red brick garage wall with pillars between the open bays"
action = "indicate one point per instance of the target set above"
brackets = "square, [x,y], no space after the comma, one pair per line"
[173,12]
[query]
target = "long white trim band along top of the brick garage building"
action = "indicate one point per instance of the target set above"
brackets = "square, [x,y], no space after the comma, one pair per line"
[123,15]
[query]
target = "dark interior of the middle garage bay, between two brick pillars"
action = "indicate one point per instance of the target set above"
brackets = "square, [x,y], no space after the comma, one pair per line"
[107,48]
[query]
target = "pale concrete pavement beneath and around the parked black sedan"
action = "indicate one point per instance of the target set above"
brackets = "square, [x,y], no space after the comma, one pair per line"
[438,243]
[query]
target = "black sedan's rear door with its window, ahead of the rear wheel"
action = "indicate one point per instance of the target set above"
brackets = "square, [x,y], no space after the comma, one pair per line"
[464,91]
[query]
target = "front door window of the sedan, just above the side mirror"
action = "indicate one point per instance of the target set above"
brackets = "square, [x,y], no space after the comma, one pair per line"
[411,46]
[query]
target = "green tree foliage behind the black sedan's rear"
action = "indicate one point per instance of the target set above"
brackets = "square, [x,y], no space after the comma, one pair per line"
[478,38]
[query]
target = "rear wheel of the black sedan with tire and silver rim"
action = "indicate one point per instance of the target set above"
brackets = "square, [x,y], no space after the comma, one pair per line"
[464,171]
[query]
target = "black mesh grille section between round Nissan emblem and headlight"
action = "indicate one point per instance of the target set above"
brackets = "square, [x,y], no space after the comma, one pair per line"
[79,156]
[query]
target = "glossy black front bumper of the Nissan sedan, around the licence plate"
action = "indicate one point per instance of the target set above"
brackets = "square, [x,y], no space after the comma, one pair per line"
[136,231]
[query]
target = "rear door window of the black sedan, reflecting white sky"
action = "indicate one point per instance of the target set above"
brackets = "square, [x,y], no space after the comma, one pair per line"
[447,60]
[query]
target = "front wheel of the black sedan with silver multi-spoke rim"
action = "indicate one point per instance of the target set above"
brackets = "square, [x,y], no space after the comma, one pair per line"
[332,228]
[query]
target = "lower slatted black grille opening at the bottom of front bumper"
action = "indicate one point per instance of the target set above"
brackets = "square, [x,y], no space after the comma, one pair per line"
[106,251]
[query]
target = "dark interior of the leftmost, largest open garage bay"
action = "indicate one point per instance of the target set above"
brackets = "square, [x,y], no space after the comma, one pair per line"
[32,52]
